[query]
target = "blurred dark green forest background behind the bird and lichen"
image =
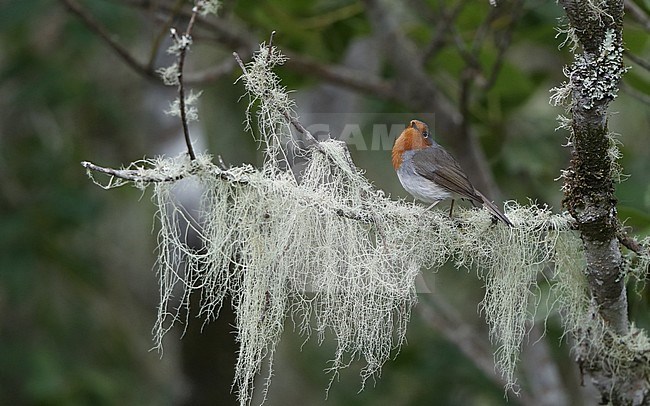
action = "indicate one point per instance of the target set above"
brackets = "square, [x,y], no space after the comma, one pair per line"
[78,289]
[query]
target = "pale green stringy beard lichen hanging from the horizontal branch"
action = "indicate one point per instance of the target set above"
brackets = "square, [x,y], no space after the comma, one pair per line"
[336,256]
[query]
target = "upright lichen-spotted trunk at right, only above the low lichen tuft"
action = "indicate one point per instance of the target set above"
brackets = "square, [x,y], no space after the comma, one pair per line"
[589,187]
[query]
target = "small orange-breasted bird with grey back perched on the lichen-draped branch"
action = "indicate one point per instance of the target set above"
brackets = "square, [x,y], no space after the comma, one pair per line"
[430,173]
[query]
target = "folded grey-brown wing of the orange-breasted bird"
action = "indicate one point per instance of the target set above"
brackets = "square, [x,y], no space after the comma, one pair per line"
[437,165]
